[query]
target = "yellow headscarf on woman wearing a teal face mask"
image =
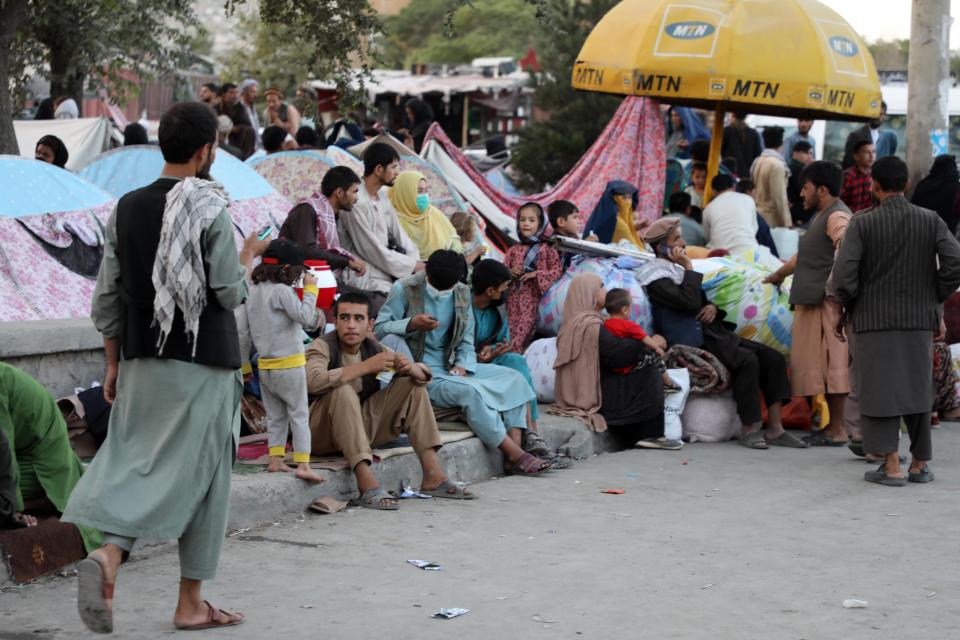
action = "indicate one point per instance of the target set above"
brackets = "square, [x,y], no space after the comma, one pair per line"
[430,230]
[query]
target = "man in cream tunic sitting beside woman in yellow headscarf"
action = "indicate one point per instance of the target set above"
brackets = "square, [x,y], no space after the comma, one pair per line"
[371,229]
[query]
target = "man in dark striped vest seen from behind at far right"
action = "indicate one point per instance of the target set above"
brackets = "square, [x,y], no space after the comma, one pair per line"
[897,264]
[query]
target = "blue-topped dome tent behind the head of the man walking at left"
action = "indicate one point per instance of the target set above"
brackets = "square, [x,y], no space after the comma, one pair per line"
[254,203]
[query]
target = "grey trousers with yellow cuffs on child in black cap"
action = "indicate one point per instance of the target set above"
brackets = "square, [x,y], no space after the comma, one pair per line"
[284,393]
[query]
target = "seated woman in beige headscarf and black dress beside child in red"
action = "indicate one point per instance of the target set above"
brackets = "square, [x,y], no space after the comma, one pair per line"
[587,385]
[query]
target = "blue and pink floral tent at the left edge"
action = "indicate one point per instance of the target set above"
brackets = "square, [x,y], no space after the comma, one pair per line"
[51,240]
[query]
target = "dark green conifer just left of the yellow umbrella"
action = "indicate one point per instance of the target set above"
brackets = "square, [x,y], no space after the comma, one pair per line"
[548,148]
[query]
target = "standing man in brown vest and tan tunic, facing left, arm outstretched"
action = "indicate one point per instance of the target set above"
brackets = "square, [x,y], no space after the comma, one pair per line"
[818,356]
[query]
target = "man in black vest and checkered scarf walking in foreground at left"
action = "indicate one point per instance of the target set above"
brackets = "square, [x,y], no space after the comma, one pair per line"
[168,284]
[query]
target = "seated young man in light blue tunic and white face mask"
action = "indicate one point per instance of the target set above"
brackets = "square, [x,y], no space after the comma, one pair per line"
[433,313]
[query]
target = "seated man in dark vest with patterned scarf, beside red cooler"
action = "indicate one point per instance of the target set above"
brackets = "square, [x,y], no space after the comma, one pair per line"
[312,226]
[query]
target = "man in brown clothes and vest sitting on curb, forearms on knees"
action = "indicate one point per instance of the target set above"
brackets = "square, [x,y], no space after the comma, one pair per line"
[349,412]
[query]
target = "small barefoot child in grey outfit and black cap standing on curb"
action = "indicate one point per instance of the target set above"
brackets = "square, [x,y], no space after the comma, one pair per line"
[274,317]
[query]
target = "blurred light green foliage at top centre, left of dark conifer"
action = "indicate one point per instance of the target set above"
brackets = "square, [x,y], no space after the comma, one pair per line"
[417,35]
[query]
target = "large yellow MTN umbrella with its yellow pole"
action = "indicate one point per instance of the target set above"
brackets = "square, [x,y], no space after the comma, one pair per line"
[777,57]
